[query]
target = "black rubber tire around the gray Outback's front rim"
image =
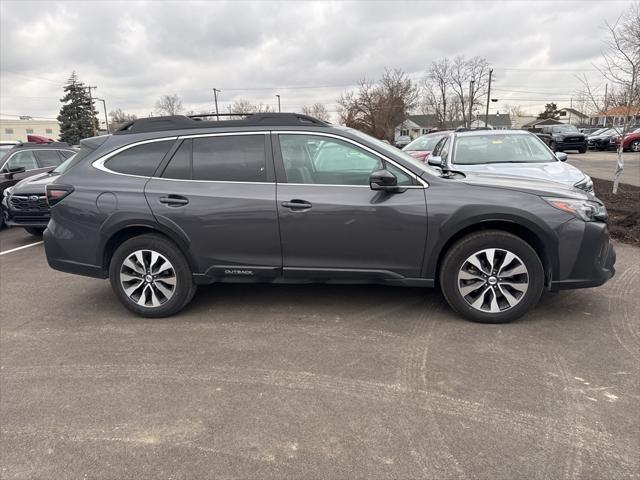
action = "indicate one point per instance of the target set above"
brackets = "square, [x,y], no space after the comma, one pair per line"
[456,258]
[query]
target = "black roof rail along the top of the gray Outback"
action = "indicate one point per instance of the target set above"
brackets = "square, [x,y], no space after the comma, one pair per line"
[180,122]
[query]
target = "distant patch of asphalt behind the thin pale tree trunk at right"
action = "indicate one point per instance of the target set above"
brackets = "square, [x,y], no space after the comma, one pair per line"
[603,165]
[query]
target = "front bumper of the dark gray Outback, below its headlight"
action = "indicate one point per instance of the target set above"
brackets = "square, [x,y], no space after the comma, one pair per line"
[587,256]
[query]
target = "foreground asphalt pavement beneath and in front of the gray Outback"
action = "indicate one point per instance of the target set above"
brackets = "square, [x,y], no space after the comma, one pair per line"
[263,381]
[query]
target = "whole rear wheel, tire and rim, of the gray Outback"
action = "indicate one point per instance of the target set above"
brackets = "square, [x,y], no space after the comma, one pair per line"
[151,277]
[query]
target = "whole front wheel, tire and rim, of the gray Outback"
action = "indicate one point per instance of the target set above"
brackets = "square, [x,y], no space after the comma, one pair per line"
[492,277]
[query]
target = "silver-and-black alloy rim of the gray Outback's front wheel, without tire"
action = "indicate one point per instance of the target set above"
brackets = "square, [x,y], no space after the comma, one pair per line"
[493,280]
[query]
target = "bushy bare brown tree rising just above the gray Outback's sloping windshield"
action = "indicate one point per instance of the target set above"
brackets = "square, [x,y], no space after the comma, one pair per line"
[377,108]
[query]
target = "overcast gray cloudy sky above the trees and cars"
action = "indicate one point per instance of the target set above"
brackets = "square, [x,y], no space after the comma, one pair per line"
[305,51]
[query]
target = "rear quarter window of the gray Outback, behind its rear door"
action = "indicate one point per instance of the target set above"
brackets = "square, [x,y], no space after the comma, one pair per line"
[142,160]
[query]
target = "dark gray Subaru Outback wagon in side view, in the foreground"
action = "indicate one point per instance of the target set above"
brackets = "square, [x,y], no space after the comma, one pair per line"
[168,203]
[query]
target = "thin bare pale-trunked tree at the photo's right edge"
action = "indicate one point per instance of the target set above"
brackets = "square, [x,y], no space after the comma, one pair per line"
[621,67]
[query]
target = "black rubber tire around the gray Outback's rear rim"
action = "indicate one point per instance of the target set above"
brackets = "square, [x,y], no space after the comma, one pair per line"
[184,286]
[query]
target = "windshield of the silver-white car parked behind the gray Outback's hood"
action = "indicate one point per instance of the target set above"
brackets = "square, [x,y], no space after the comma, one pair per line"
[484,149]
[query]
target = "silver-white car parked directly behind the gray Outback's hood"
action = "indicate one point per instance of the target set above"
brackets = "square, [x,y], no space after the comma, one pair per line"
[506,152]
